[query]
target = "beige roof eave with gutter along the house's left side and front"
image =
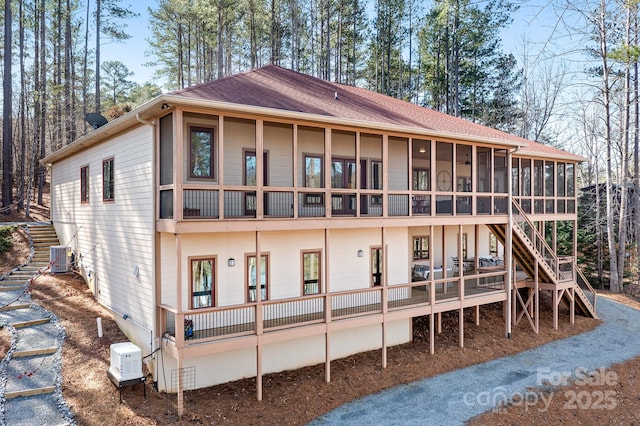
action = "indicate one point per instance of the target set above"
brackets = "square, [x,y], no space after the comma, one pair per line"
[150,111]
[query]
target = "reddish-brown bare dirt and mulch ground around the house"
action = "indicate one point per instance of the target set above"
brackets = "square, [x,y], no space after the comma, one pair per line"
[295,397]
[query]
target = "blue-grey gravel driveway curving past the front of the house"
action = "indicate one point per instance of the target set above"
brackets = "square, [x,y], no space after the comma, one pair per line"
[455,397]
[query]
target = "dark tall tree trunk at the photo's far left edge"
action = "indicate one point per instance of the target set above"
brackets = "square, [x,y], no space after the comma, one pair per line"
[7,119]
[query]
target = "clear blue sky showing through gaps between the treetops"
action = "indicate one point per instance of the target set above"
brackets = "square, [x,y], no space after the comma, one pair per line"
[534,21]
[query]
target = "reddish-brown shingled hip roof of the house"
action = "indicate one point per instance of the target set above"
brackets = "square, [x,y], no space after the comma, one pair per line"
[282,89]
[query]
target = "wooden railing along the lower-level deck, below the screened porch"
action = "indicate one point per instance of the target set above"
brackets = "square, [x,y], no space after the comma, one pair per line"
[198,325]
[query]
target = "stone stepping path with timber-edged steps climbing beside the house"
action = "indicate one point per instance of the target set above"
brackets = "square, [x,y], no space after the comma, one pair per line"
[30,374]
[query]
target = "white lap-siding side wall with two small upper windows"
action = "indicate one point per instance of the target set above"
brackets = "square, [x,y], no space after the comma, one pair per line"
[115,237]
